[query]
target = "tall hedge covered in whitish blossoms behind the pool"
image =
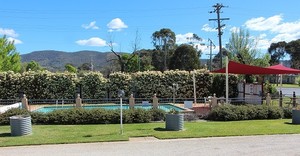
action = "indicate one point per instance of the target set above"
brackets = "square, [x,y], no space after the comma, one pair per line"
[47,85]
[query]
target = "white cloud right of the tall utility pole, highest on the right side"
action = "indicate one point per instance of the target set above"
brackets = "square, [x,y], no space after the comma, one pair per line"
[262,24]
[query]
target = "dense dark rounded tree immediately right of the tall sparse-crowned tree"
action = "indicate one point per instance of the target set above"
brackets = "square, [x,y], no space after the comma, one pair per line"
[185,57]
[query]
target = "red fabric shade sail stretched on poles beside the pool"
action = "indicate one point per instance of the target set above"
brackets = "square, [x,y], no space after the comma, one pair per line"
[238,68]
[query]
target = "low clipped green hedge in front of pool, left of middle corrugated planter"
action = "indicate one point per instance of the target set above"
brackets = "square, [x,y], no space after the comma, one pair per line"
[84,116]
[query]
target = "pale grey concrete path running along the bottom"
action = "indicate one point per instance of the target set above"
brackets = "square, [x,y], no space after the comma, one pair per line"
[244,145]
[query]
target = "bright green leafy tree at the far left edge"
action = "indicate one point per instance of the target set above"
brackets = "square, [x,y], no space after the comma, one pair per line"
[9,57]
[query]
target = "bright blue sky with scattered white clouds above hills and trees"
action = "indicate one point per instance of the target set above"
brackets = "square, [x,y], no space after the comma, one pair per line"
[75,25]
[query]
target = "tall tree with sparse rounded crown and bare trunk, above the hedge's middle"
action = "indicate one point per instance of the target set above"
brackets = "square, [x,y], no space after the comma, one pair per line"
[164,41]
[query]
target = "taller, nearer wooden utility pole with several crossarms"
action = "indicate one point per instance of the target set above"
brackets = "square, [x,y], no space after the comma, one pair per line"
[217,9]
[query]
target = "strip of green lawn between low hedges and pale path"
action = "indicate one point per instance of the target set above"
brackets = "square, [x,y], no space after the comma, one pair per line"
[61,134]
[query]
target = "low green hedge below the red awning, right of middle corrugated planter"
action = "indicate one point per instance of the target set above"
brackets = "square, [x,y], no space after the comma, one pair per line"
[247,112]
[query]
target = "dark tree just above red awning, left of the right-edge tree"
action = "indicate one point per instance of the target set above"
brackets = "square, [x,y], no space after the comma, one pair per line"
[277,52]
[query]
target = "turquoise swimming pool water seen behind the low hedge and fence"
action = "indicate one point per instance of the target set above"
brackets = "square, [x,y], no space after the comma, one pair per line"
[165,107]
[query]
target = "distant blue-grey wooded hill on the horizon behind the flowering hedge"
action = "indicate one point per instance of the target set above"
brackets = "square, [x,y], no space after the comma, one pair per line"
[56,60]
